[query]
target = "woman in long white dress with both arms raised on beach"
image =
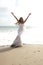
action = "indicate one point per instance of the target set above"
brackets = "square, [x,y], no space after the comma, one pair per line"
[17,42]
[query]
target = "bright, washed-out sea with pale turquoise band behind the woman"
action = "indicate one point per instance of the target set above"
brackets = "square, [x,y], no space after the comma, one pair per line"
[30,35]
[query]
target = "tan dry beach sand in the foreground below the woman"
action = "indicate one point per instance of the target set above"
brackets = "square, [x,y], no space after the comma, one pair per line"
[26,55]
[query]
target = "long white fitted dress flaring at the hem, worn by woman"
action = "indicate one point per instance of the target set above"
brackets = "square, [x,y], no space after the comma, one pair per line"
[17,42]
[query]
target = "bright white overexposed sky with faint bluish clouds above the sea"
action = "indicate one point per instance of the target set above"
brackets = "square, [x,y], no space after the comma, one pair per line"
[21,8]
